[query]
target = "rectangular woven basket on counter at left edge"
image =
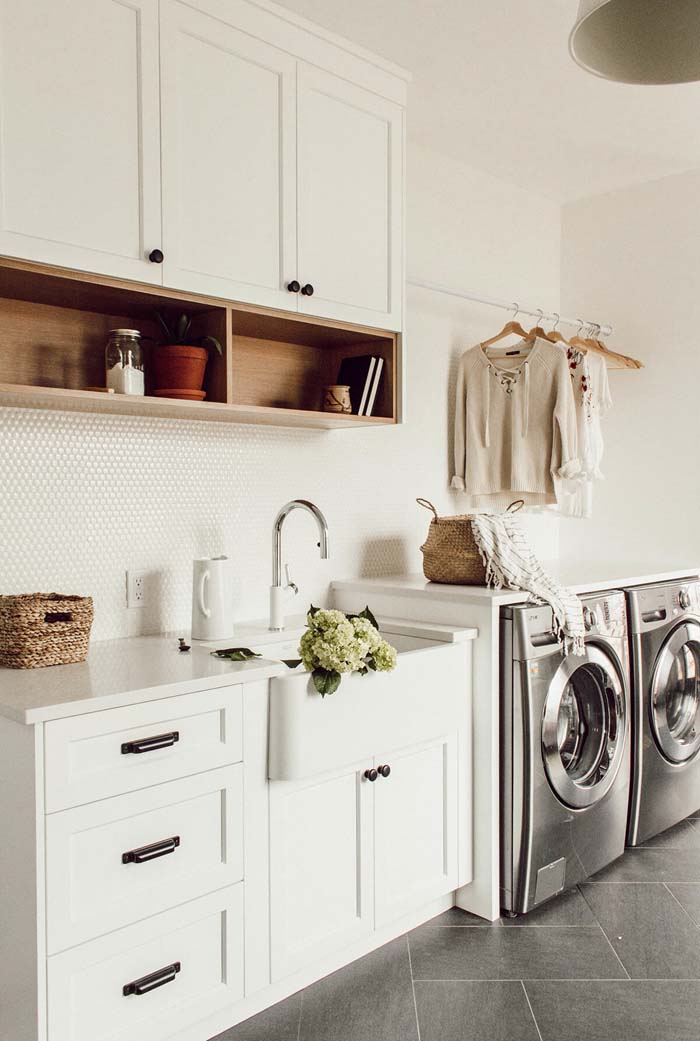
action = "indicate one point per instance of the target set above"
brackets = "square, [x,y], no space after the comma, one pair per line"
[44,629]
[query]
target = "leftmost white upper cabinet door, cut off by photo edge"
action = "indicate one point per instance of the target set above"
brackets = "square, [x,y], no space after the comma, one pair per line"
[81,160]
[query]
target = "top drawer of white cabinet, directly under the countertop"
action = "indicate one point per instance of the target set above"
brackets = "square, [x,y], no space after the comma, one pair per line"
[110,753]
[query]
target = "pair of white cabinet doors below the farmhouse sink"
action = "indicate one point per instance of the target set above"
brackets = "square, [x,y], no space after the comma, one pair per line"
[349,854]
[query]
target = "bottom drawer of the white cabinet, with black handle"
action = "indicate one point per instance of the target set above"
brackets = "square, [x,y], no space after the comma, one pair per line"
[102,992]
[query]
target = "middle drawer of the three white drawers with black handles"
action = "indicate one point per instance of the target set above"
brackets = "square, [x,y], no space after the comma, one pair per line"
[118,861]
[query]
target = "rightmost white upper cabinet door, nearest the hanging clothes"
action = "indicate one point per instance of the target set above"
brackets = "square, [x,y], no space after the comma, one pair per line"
[351,194]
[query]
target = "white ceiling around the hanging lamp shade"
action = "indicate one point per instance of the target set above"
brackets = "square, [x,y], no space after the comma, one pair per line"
[494,87]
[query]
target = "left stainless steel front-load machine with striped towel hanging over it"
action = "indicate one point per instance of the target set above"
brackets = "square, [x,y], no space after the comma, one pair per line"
[565,750]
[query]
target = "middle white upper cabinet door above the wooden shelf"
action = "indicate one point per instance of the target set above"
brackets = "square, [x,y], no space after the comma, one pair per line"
[229,161]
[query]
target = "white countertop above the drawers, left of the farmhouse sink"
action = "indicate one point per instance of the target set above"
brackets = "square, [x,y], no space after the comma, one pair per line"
[118,673]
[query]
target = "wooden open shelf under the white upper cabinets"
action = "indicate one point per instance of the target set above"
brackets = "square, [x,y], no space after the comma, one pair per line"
[55,325]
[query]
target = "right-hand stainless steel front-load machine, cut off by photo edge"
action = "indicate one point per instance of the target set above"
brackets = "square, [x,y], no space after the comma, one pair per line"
[665,643]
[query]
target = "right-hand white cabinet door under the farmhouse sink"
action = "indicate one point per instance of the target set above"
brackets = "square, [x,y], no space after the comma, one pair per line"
[416,827]
